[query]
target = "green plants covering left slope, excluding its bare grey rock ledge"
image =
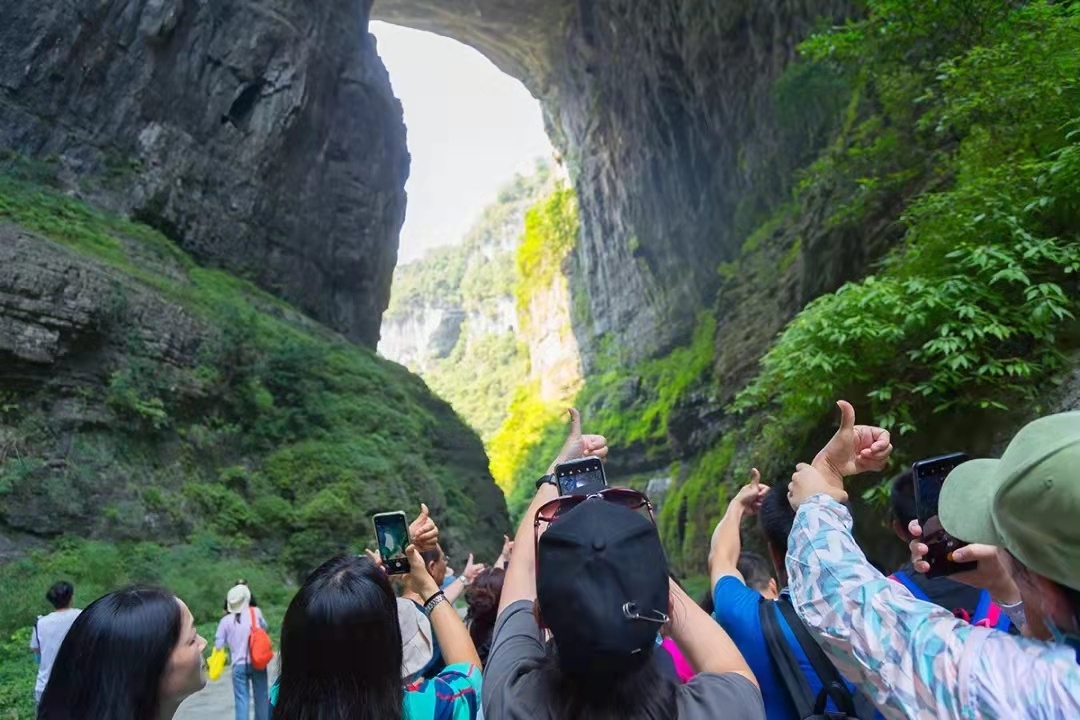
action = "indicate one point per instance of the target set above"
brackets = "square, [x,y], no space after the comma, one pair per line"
[281,441]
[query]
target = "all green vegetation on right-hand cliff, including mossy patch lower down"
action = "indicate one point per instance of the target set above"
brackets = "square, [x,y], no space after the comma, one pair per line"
[964,134]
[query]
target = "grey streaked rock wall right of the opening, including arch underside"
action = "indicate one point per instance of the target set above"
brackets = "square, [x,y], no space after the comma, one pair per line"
[666,114]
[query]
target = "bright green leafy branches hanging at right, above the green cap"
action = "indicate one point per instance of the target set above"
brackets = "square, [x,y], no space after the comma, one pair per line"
[966,315]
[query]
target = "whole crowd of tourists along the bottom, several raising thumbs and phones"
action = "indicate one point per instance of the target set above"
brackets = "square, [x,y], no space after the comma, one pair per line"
[582,618]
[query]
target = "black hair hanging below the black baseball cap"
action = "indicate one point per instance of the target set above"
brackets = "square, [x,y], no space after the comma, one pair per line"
[641,694]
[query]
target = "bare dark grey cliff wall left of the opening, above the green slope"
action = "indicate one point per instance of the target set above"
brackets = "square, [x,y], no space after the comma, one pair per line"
[263,138]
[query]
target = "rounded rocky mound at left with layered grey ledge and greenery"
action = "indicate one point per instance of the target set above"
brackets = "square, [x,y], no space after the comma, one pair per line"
[109,428]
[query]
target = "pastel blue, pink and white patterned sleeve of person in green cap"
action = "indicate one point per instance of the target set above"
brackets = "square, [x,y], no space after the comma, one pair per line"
[913,659]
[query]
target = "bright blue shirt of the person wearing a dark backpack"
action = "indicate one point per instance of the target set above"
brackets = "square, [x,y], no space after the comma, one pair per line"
[737,612]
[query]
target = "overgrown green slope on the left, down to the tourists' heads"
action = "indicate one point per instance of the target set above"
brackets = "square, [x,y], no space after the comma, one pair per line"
[227,438]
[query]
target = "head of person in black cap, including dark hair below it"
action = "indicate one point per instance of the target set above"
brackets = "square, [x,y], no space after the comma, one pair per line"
[603,591]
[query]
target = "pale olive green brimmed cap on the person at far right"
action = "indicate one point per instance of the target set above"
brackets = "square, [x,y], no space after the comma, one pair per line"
[1028,502]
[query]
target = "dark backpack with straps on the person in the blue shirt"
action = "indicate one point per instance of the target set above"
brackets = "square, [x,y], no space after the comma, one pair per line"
[853,707]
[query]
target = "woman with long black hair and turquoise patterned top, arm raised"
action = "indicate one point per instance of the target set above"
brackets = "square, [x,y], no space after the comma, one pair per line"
[342,650]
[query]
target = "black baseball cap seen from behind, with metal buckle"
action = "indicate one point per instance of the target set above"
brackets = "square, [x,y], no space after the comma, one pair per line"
[601,573]
